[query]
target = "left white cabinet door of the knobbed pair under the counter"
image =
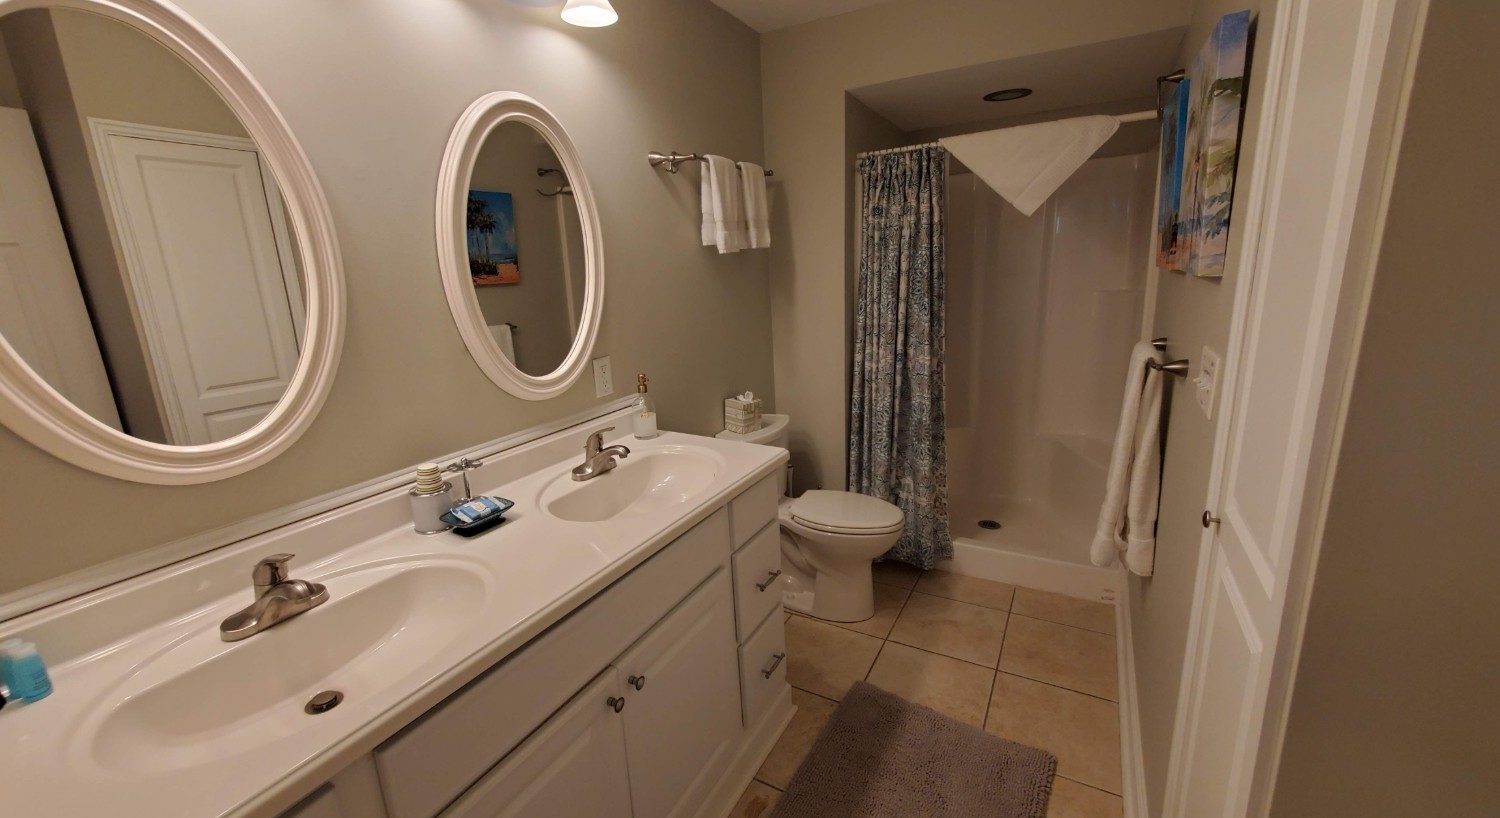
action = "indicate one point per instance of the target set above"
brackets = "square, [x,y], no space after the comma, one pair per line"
[572,768]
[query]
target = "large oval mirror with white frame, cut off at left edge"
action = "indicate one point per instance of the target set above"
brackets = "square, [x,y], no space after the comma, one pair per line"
[170,286]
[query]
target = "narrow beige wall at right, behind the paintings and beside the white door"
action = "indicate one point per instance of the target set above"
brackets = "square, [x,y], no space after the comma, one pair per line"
[1192,313]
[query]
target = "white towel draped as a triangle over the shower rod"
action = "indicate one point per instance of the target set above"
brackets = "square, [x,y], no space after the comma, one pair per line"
[1028,163]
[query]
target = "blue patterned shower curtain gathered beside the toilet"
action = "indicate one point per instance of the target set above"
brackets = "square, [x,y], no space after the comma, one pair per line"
[898,450]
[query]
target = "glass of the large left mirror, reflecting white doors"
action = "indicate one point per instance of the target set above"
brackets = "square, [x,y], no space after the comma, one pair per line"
[148,271]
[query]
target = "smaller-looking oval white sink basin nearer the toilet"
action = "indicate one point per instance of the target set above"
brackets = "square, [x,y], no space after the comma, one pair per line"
[644,484]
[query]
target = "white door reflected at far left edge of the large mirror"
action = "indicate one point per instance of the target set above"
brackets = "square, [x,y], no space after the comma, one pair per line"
[43,313]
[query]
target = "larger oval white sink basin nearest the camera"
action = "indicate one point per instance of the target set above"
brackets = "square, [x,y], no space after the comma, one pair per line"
[203,699]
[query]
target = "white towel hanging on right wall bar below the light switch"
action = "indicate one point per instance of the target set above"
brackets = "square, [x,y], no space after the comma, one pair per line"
[1129,517]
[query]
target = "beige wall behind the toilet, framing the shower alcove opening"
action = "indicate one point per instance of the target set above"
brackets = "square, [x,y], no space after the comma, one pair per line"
[806,73]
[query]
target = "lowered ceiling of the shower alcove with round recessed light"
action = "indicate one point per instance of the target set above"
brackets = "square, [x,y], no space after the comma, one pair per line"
[1085,76]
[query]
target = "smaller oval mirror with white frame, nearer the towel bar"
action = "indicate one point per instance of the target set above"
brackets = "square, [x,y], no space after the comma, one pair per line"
[520,247]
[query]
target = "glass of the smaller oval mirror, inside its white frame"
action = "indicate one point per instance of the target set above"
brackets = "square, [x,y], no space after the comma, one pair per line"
[535,319]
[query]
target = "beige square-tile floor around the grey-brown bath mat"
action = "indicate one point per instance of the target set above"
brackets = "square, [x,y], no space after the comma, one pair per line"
[1028,666]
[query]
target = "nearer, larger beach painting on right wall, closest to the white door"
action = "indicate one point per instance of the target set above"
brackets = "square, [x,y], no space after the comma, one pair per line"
[1216,91]
